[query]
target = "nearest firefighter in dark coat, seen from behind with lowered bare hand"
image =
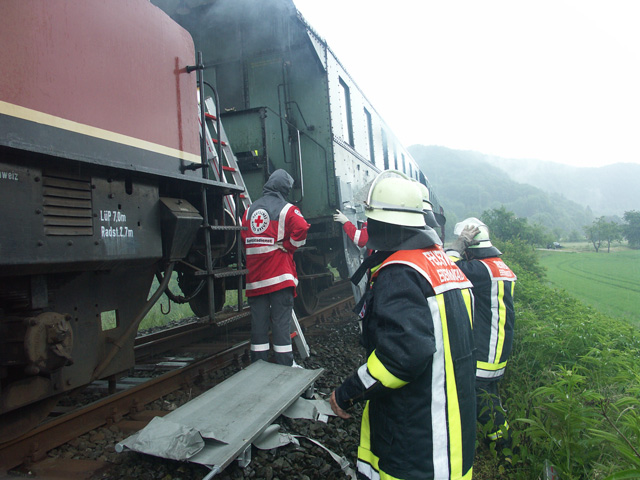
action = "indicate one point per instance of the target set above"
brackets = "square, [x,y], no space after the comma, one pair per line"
[418,379]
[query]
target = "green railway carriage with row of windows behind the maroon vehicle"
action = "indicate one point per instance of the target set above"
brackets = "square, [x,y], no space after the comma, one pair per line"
[289,103]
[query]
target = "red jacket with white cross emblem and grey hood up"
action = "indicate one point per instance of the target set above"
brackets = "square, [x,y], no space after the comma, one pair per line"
[272,223]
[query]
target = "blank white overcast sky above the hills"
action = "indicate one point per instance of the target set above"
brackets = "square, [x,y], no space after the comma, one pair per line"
[555,80]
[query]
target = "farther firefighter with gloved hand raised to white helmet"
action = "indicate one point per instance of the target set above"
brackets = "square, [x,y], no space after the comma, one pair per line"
[493,321]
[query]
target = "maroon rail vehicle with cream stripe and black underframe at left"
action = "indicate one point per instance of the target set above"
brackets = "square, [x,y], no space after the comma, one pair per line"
[99,189]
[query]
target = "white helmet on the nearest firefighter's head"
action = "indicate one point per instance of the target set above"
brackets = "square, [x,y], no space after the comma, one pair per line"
[394,198]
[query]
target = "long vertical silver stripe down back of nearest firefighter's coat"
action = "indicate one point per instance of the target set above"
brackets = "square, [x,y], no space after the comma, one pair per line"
[439,427]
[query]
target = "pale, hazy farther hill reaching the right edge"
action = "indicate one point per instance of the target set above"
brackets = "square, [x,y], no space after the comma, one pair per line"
[609,190]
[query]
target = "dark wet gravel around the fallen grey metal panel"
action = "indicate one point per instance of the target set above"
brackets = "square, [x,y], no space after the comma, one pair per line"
[337,350]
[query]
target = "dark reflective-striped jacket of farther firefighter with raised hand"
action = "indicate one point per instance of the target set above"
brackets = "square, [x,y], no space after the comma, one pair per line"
[493,315]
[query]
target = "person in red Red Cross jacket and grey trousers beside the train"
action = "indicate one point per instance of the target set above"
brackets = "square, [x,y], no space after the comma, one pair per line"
[275,229]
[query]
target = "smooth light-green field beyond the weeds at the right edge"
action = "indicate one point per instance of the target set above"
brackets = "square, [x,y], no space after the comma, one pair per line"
[610,282]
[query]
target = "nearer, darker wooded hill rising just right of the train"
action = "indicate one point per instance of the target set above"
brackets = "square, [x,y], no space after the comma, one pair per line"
[468,183]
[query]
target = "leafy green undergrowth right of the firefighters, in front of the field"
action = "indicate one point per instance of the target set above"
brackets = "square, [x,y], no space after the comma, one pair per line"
[572,387]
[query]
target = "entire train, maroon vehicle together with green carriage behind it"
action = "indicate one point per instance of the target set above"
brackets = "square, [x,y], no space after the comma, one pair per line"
[105,179]
